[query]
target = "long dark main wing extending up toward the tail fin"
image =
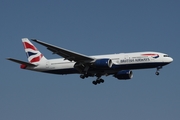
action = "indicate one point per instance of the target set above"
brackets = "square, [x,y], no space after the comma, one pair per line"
[67,54]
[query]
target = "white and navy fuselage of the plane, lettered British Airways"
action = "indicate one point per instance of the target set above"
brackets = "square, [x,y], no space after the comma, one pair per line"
[122,61]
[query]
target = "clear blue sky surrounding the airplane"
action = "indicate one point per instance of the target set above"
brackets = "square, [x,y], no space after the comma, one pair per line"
[90,27]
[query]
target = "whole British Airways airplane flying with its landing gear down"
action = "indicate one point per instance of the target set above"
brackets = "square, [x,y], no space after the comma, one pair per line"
[119,65]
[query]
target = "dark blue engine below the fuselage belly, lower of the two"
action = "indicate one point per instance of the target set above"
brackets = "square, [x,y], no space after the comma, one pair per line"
[124,74]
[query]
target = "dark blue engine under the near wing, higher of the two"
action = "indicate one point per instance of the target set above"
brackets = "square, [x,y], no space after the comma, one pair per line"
[103,63]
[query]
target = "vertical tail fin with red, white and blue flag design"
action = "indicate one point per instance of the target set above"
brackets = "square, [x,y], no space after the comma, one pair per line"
[33,54]
